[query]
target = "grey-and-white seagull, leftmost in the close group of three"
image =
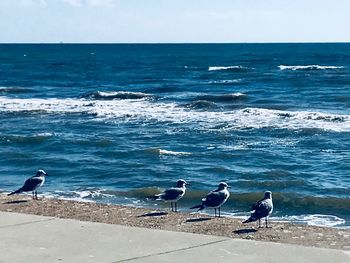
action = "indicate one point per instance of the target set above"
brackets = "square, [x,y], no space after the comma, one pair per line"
[172,194]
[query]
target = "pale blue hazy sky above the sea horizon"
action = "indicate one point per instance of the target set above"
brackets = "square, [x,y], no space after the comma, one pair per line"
[174,21]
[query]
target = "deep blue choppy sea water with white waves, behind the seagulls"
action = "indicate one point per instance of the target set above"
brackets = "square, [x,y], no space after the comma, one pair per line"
[114,123]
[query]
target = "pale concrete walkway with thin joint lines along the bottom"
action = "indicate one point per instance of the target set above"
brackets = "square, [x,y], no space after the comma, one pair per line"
[29,238]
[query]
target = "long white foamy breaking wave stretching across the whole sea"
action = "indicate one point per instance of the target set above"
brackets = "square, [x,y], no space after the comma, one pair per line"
[150,111]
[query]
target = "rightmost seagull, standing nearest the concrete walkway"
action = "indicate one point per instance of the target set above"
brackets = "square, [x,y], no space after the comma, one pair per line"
[262,208]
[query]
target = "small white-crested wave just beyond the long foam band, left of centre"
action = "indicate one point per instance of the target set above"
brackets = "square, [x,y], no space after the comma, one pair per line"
[122,95]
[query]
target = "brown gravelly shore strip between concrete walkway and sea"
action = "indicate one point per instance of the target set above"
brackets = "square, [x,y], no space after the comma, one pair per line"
[280,232]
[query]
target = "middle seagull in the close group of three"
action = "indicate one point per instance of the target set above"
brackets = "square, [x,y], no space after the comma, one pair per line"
[215,199]
